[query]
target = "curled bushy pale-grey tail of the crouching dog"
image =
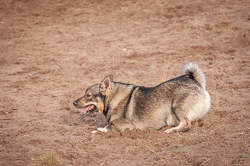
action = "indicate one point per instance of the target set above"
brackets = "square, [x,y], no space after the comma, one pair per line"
[193,69]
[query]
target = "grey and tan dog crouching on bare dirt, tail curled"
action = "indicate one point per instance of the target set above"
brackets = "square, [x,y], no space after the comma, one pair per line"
[176,102]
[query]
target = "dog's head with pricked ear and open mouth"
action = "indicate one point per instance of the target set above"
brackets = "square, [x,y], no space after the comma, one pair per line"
[94,97]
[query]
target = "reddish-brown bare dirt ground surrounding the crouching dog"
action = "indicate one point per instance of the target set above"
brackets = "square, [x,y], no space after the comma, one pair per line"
[51,51]
